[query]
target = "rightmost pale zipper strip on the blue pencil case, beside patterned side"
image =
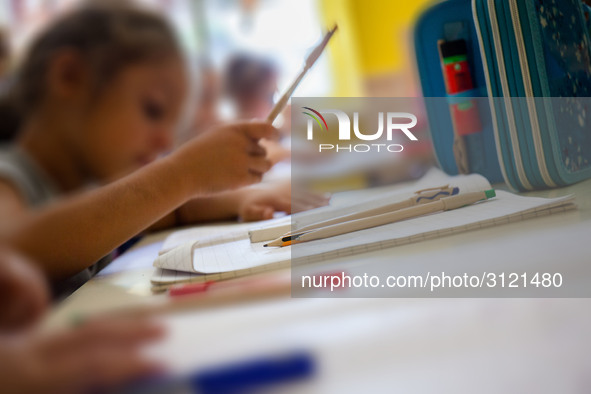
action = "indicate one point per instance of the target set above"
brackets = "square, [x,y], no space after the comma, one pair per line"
[531,104]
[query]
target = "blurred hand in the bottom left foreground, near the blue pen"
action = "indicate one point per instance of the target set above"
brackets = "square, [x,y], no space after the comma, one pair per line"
[97,355]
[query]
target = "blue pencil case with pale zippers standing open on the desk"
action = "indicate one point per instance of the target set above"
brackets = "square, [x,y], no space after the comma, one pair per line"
[530,62]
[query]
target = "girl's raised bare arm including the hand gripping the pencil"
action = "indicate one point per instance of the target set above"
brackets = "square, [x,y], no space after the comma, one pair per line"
[72,234]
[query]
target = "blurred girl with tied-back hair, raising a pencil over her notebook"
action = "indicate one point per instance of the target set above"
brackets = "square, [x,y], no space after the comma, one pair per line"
[101,92]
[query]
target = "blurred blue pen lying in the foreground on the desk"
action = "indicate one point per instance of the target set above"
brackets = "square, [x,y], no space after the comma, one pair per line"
[245,376]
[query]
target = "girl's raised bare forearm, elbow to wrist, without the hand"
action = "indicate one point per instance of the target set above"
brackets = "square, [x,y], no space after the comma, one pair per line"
[72,234]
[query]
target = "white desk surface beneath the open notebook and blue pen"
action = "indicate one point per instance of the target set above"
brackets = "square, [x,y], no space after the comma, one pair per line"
[394,345]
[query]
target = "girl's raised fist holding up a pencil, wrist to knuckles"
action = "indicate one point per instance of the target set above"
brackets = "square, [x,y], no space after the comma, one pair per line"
[225,158]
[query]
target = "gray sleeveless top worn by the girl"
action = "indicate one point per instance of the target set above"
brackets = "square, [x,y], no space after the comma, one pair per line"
[35,186]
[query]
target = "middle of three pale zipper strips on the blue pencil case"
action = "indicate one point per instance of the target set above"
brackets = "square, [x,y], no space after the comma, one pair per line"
[522,177]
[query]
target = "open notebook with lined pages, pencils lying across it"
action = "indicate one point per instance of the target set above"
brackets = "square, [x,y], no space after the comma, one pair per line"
[230,253]
